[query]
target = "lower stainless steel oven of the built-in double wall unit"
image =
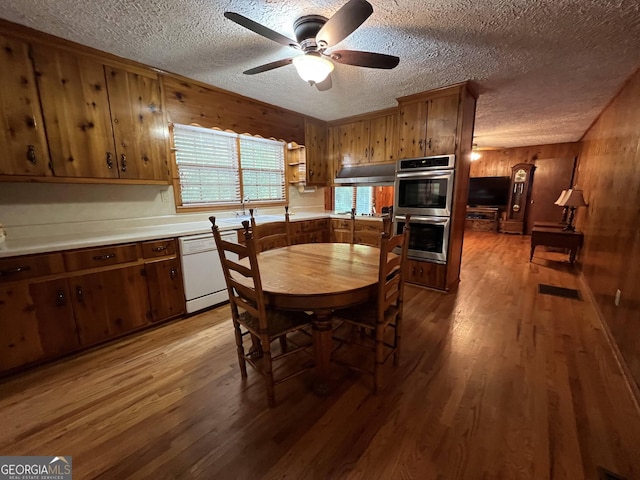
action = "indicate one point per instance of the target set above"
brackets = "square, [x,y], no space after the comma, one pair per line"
[428,237]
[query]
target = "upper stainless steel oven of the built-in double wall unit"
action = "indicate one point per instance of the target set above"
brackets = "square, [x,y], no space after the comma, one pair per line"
[424,186]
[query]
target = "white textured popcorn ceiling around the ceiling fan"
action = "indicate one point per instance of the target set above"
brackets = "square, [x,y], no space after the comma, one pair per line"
[545,68]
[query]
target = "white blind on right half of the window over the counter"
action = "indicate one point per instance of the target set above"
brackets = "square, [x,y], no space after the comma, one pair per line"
[262,163]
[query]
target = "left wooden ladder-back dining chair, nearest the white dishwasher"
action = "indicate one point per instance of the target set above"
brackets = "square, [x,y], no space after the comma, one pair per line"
[252,318]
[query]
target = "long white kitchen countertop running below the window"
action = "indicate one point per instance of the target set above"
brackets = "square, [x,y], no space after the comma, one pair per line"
[114,233]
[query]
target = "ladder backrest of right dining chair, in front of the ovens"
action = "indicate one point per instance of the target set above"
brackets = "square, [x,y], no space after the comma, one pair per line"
[390,270]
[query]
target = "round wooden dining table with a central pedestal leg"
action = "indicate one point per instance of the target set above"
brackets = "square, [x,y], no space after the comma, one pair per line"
[319,277]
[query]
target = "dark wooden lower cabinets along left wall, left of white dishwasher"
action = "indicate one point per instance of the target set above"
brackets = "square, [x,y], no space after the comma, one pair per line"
[50,307]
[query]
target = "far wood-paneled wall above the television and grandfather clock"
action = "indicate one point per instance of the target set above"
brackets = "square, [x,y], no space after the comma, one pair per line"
[498,163]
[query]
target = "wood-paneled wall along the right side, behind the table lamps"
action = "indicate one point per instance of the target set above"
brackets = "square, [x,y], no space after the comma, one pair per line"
[609,174]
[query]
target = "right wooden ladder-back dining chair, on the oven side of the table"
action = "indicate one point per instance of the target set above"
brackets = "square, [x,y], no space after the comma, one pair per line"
[380,322]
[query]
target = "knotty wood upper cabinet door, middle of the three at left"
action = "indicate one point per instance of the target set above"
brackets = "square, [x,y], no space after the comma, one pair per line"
[75,103]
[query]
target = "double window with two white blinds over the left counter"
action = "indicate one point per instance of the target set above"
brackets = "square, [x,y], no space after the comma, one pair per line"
[217,167]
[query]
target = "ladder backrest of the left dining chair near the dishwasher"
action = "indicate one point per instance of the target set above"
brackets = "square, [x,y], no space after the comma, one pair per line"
[243,283]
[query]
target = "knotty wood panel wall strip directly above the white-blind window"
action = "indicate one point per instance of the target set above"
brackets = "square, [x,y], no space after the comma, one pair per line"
[188,101]
